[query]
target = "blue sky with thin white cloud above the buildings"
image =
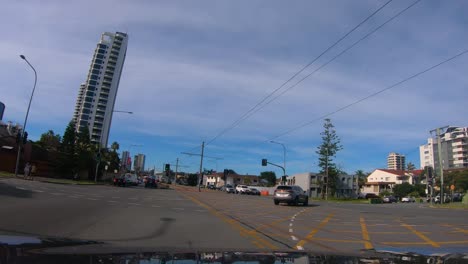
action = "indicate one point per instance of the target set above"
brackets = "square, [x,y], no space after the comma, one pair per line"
[194,67]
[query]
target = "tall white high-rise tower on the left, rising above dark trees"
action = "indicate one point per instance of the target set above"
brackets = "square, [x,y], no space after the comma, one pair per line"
[96,97]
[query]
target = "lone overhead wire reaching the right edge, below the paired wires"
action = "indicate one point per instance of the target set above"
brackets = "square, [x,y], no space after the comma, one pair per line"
[371,95]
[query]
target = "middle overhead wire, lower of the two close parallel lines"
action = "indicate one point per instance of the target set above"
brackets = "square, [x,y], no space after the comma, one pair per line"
[329,61]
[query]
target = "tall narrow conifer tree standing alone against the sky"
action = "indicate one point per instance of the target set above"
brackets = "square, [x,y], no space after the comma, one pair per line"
[327,152]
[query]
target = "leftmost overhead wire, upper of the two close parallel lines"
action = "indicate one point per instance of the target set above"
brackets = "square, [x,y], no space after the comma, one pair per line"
[251,110]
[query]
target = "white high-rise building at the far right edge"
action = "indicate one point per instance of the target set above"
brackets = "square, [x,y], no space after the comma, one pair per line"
[454,150]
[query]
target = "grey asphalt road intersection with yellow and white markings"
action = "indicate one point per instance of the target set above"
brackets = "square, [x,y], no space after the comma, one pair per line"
[183,218]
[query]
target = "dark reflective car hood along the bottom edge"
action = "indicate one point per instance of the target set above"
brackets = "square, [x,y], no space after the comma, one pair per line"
[25,249]
